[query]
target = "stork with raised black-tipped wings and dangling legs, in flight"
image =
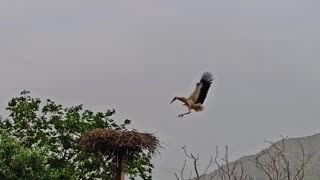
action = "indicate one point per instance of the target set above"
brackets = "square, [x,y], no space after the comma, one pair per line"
[197,98]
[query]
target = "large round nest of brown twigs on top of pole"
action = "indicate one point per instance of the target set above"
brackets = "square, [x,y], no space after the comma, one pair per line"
[119,143]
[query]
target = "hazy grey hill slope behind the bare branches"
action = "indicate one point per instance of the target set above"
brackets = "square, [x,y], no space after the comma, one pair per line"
[311,144]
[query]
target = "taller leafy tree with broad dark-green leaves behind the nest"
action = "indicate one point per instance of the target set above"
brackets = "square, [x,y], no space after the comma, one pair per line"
[35,125]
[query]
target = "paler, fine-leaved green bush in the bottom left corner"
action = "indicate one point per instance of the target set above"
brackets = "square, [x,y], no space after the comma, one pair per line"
[18,162]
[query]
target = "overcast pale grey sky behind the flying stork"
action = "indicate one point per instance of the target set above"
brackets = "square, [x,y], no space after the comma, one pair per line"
[135,56]
